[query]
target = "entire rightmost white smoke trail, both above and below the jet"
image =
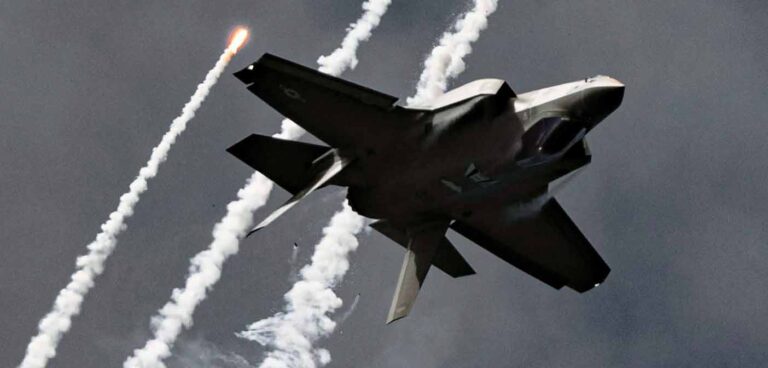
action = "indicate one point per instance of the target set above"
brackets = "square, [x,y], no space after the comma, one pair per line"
[292,333]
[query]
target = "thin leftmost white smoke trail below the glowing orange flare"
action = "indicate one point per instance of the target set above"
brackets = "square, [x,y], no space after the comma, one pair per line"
[69,300]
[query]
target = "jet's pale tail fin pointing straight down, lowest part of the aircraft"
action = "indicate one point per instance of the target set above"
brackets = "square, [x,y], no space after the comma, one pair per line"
[422,247]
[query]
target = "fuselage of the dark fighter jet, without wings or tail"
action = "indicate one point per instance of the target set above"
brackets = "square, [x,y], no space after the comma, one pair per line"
[488,148]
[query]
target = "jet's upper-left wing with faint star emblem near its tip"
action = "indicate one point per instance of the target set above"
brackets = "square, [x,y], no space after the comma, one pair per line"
[340,113]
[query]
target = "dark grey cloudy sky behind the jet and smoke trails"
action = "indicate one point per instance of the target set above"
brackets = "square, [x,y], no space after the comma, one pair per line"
[674,200]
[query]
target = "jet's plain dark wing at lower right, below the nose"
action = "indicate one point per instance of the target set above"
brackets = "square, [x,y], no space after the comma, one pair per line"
[546,245]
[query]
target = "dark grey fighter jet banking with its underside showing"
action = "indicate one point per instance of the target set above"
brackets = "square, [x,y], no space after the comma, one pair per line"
[480,160]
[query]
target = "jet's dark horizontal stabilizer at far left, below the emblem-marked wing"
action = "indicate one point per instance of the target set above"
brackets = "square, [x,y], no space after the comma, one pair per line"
[287,163]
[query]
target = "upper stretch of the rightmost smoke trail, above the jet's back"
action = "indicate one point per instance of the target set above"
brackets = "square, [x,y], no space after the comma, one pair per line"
[447,58]
